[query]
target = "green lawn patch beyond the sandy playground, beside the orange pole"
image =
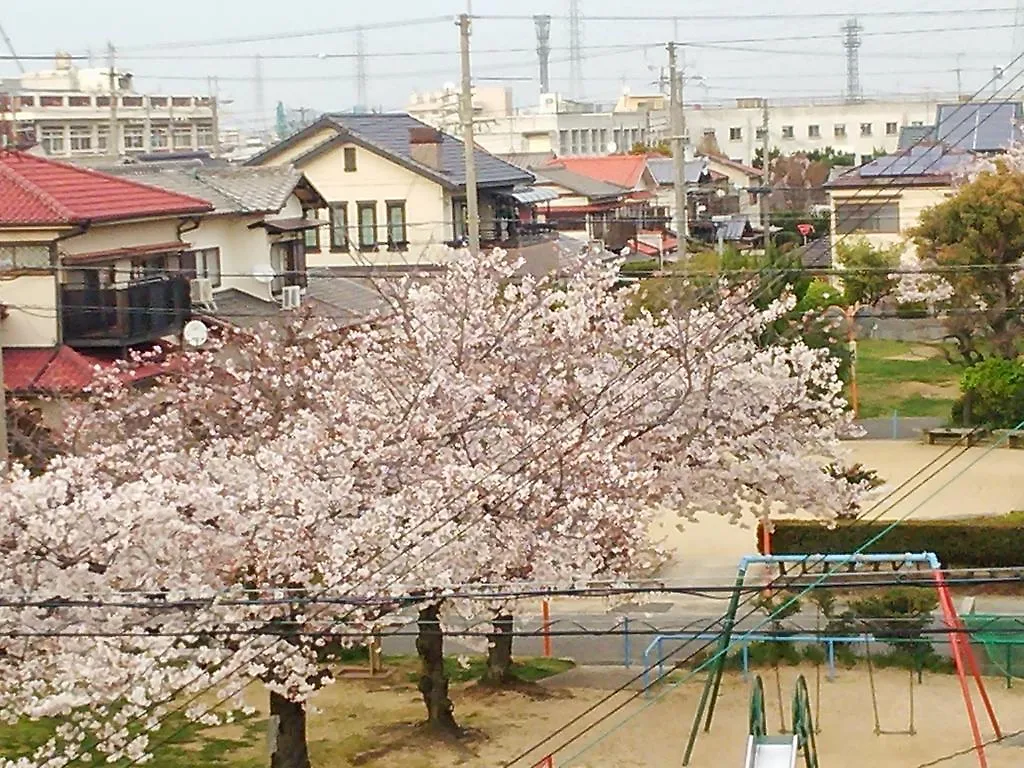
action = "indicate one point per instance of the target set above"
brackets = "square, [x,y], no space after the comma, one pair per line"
[913,378]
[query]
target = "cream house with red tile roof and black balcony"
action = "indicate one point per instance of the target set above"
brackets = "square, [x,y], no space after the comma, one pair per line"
[89,260]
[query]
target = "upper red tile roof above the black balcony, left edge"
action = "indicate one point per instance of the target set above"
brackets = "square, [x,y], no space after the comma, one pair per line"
[40,192]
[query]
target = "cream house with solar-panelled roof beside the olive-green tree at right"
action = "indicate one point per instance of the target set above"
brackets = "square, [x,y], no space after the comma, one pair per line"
[883,200]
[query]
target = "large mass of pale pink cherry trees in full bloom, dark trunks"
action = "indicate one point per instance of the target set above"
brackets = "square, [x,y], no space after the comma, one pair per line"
[486,428]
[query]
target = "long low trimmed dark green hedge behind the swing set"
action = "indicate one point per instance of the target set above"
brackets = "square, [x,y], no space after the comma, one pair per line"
[982,542]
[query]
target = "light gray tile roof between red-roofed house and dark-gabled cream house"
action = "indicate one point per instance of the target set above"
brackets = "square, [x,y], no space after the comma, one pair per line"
[229,190]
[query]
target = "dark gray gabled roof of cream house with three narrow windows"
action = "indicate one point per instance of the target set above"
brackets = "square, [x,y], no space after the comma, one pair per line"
[389,135]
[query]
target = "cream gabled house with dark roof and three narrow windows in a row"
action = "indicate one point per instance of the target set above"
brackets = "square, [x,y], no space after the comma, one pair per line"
[396,189]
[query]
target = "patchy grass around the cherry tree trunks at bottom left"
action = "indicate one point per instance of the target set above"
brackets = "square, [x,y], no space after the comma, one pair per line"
[349,720]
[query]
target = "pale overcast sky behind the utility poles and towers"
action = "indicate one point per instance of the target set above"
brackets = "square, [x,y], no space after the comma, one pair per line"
[795,54]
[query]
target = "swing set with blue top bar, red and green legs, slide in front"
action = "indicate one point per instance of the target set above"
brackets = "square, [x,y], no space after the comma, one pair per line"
[824,568]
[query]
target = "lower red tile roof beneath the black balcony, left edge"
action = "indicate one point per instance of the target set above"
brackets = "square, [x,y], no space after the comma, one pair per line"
[59,370]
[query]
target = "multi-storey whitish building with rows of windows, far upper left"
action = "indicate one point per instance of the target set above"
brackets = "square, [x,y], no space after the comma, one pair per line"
[69,111]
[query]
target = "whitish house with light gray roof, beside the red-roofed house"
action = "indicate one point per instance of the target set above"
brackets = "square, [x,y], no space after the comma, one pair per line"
[254,241]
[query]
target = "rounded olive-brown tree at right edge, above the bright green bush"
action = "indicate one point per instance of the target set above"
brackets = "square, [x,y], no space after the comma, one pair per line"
[969,264]
